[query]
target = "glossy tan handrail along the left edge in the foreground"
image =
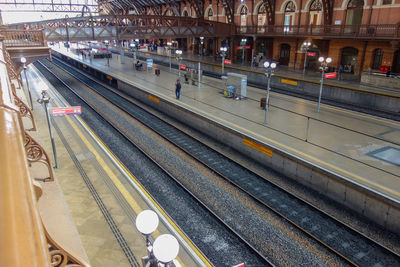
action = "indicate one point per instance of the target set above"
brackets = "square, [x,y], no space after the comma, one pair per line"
[22,241]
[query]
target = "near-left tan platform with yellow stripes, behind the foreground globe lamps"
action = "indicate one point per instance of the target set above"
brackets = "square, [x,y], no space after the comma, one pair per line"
[102,196]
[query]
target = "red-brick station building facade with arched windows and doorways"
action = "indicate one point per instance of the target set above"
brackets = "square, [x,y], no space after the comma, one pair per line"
[361,35]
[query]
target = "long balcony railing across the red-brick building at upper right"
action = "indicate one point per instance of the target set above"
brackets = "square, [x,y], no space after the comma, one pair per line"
[382,31]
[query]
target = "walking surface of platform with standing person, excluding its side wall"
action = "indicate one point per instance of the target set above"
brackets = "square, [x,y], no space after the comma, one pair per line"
[359,148]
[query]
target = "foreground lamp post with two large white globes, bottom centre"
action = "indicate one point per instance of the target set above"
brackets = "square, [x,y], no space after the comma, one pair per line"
[164,249]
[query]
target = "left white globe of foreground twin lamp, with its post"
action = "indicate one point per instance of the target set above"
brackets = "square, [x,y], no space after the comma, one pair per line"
[146,223]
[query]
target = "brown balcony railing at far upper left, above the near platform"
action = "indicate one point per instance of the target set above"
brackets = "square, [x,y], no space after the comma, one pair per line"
[23,38]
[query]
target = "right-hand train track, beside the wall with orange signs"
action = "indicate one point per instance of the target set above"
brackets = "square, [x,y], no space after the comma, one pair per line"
[346,242]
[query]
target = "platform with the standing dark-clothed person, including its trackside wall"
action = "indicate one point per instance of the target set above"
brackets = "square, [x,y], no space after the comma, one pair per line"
[360,151]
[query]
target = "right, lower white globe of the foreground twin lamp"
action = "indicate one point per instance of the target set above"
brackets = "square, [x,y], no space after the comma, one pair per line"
[165,248]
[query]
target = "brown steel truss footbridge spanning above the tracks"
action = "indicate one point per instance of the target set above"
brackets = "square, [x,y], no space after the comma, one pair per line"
[122,27]
